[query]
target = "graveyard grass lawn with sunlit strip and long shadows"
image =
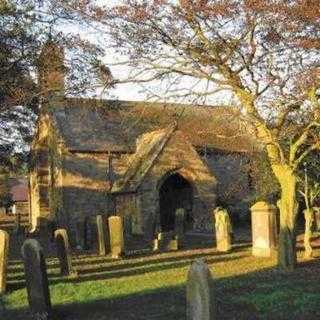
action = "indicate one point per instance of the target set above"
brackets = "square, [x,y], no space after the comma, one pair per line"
[153,287]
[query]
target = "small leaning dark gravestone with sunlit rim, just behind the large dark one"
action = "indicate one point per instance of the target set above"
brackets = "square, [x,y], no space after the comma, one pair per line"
[63,252]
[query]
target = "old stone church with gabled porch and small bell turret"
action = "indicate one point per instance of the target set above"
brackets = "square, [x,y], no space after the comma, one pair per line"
[140,160]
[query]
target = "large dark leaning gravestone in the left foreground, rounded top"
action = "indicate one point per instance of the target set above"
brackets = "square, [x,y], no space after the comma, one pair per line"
[36,280]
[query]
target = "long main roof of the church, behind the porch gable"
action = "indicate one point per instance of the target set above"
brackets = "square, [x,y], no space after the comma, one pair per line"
[108,125]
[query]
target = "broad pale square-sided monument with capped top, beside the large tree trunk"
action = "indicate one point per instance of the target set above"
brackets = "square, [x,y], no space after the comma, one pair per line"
[264,229]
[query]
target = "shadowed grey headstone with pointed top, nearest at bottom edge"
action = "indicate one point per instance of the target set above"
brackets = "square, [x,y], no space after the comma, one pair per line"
[199,303]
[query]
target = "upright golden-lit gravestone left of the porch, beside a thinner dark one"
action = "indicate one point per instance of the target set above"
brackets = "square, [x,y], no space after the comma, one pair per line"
[116,236]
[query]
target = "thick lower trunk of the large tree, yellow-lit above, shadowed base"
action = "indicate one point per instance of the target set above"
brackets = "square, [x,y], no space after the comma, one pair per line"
[287,256]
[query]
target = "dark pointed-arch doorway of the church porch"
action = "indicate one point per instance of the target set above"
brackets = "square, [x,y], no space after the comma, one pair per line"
[175,192]
